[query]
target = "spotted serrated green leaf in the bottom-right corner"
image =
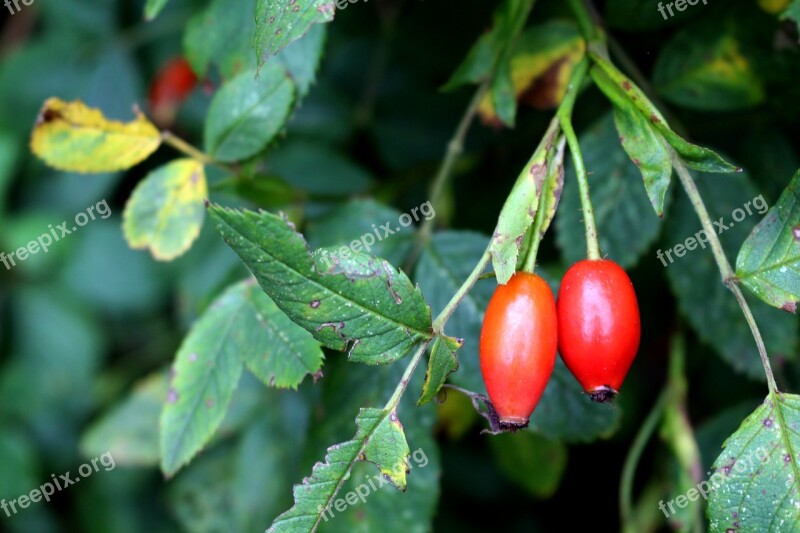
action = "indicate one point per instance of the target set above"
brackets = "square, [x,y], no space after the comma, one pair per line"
[755,483]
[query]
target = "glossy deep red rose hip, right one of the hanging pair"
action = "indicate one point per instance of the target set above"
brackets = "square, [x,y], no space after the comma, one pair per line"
[598,325]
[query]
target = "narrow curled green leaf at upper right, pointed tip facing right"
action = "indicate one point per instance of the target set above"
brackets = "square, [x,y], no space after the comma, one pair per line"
[623,93]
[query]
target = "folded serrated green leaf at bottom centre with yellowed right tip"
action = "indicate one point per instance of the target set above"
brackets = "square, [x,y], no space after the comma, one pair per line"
[379,439]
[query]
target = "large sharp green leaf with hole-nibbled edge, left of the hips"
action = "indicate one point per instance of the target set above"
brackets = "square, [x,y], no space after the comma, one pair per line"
[359,304]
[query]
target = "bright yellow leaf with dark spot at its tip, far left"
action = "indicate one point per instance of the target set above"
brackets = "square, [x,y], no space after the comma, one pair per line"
[74,137]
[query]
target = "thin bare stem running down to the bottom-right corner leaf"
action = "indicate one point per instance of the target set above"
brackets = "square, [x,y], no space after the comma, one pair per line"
[727,272]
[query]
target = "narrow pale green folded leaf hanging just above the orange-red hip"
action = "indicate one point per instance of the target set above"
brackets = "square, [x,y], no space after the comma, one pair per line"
[519,210]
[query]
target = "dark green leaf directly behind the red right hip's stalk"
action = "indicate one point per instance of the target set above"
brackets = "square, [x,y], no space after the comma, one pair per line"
[619,201]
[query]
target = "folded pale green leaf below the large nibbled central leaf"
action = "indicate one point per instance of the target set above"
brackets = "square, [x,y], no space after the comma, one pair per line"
[240,326]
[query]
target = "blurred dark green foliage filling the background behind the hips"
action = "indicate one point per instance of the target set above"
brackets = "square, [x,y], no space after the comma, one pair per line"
[88,330]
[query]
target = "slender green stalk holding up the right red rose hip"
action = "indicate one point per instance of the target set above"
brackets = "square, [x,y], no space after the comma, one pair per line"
[564,115]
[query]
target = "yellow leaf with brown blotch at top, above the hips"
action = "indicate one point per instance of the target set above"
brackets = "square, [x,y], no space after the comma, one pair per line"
[541,66]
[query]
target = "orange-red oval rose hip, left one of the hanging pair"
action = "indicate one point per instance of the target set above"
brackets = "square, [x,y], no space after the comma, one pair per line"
[518,346]
